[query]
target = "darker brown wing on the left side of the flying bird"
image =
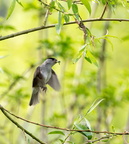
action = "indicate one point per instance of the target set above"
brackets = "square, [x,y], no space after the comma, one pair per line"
[38,78]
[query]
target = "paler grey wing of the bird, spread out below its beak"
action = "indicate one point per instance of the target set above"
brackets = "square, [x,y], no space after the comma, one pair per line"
[54,82]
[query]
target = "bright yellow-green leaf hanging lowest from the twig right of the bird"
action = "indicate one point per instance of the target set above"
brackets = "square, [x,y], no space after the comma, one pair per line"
[90,58]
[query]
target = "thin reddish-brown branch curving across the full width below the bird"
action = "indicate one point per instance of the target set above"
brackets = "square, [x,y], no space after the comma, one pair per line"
[65,129]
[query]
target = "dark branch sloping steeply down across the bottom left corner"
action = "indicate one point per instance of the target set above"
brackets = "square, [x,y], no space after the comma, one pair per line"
[19,126]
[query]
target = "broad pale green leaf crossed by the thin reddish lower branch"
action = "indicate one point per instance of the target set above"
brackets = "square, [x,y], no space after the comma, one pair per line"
[84,125]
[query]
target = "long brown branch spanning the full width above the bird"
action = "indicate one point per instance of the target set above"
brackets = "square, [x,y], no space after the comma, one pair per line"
[53,25]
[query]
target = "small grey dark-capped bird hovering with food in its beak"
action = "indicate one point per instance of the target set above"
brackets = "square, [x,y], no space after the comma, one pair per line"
[44,75]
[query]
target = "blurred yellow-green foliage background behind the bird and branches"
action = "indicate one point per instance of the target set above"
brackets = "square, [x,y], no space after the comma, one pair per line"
[82,83]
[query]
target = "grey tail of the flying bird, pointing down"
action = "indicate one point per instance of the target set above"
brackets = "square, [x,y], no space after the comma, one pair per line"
[35,96]
